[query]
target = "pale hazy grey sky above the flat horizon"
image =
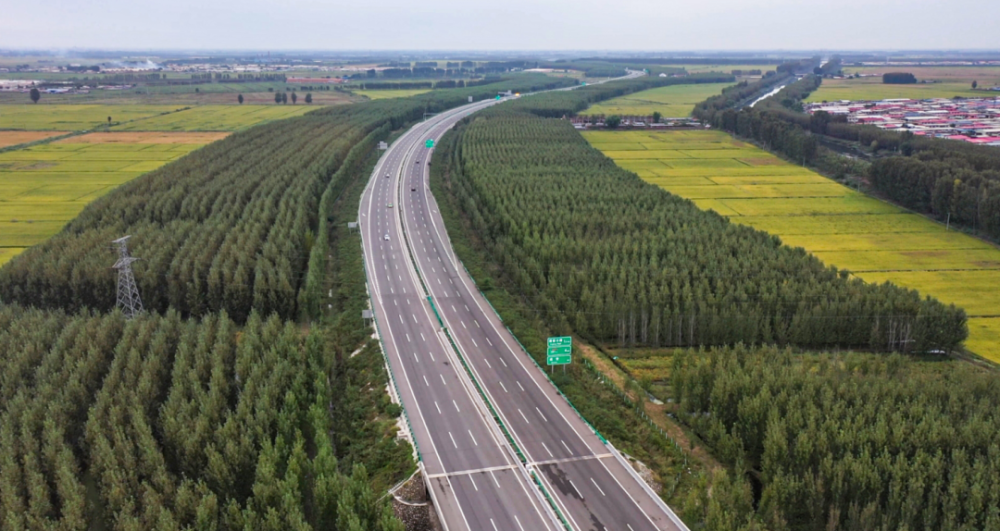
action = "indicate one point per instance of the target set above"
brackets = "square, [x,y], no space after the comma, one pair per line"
[501,25]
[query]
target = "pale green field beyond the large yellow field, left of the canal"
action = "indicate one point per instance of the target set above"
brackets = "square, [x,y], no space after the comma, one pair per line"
[674,101]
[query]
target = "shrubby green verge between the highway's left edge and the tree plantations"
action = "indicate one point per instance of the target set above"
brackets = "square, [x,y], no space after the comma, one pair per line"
[365,418]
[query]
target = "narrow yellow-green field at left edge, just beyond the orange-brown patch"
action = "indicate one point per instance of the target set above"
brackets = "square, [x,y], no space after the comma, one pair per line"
[32,117]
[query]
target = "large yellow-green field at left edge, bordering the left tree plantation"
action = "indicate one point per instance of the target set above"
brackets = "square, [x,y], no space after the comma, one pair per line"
[45,186]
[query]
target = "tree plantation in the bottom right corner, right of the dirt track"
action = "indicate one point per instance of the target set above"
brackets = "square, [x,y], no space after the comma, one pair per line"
[850,441]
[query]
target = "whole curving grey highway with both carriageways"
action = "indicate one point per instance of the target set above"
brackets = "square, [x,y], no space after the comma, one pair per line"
[593,487]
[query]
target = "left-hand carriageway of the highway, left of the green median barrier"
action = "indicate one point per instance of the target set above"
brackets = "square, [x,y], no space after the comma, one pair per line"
[474,479]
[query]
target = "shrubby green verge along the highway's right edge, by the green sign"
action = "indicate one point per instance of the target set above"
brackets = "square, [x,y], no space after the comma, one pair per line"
[598,403]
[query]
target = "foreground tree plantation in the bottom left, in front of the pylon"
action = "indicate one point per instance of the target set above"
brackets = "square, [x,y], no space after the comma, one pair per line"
[178,423]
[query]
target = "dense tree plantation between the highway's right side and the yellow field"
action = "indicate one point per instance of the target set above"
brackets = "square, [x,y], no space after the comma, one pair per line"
[614,258]
